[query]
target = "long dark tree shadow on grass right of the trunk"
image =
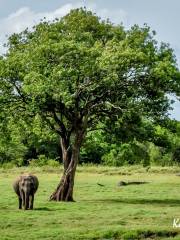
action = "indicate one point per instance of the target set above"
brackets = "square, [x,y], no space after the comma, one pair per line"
[174,202]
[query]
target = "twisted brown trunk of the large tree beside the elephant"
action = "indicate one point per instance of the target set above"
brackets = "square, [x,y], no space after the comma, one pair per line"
[64,190]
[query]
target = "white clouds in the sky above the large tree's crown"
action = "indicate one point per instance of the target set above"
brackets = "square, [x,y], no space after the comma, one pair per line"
[25,17]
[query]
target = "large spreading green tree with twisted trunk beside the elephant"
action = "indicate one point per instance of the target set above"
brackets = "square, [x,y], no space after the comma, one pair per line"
[79,71]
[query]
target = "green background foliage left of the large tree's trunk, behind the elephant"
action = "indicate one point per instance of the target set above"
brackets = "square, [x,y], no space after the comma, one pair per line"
[22,140]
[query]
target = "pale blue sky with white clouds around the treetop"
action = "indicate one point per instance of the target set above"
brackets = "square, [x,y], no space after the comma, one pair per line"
[163,16]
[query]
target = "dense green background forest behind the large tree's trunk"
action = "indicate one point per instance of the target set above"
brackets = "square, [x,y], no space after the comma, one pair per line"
[134,141]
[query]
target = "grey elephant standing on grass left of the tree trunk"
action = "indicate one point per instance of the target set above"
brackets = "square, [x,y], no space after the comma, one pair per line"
[25,186]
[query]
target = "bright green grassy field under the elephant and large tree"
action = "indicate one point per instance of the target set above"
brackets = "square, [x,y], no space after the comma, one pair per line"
[100,212]
